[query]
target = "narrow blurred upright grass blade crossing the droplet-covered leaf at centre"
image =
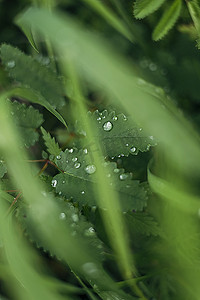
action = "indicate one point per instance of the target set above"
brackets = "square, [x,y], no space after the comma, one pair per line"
[106,196]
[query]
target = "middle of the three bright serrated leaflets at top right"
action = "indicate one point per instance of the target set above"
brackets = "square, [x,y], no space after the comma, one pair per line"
[167,20]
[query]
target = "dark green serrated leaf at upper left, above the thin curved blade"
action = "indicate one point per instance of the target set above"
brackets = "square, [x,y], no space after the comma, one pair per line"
[30,73]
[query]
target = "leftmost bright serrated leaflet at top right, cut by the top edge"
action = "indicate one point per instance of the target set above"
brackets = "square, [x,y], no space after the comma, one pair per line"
[143,8]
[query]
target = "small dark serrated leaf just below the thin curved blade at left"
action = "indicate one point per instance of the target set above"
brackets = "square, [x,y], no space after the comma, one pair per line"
[27,119]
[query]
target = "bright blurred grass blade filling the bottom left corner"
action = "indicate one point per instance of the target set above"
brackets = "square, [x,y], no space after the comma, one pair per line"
[21,261]
